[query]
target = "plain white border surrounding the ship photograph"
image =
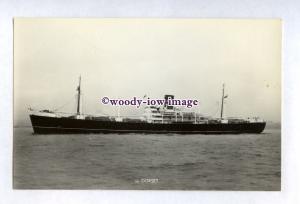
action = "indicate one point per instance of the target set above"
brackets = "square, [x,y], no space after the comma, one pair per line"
[288,11]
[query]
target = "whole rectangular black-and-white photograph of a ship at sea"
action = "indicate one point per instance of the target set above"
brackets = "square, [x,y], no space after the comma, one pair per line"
[147,104]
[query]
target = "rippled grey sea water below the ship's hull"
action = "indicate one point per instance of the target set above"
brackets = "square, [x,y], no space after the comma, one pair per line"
[147,161]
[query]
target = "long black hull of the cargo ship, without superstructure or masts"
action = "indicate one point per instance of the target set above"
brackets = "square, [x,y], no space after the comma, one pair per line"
[64,125]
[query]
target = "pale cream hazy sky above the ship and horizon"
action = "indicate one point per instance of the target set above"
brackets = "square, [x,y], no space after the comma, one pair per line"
[126,58]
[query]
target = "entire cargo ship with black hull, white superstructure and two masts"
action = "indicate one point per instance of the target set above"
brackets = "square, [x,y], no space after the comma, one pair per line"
[156,119]
